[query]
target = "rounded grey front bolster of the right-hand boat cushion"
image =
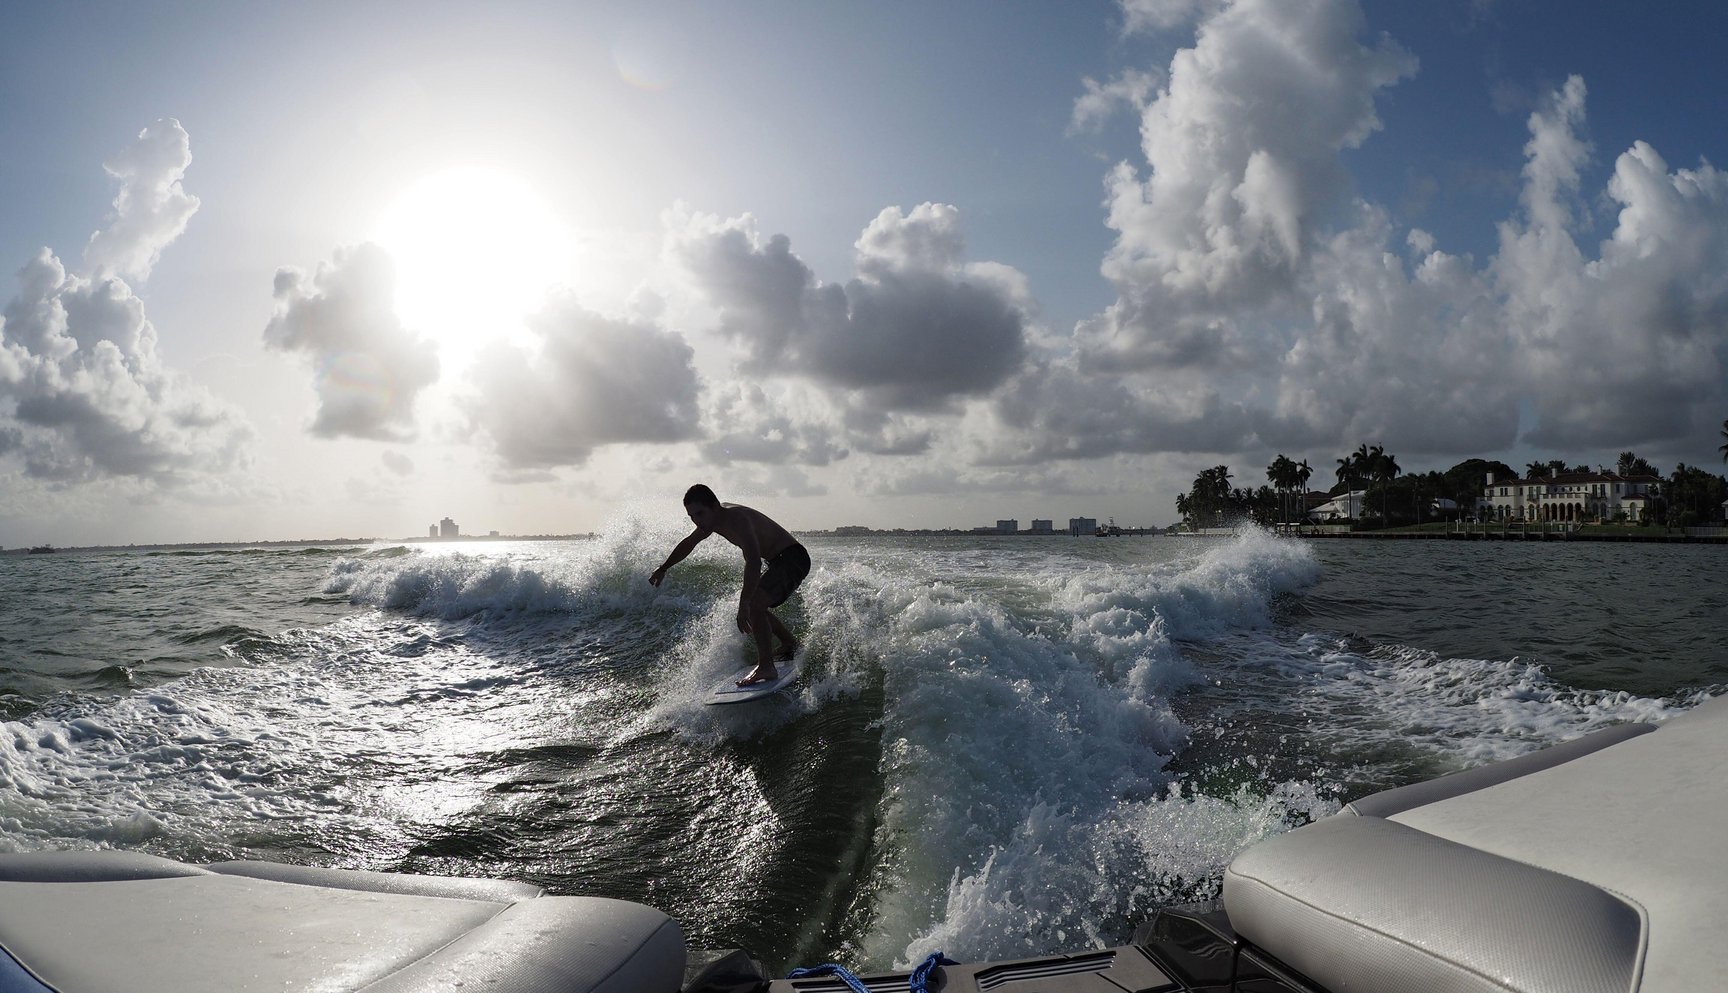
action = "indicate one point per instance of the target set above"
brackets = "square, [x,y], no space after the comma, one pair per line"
[1368,904]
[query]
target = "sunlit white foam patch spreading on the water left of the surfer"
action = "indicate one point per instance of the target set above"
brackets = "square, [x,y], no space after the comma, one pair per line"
[281,754]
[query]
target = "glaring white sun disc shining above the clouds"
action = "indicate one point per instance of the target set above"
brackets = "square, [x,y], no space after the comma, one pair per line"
[476,251]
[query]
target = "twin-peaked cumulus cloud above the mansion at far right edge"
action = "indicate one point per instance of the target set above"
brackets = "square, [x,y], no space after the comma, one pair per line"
[1601,338]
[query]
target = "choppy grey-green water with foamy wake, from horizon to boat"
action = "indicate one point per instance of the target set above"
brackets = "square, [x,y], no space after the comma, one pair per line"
[1001,747]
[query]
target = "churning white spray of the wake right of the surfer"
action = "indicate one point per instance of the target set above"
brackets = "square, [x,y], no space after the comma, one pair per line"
[1015,750]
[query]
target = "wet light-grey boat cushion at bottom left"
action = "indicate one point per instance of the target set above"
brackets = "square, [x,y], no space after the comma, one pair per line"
[156,930]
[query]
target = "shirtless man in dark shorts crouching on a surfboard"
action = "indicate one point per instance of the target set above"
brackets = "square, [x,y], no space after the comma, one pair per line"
[758,538]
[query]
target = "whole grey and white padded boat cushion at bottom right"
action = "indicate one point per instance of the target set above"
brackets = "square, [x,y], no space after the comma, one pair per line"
[1599,864]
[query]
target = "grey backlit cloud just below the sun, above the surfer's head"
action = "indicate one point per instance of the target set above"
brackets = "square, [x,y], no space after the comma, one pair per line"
[590,381]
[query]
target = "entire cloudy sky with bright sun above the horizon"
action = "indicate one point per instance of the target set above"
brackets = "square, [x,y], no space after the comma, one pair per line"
[315,270]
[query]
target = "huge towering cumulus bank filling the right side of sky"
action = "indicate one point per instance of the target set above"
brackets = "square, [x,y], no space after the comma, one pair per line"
[1247,260]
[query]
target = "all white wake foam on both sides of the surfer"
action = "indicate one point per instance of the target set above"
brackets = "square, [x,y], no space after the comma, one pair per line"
[1029,716]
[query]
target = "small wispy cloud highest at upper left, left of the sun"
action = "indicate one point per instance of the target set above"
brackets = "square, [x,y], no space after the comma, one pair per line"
[151,208]
